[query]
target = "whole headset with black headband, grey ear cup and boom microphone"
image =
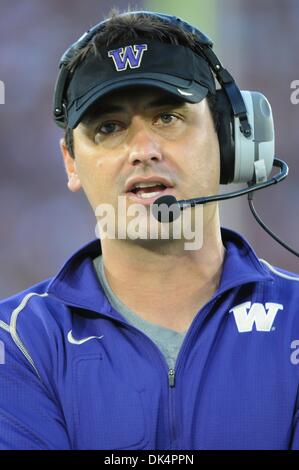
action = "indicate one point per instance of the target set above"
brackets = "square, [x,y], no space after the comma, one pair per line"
[245,124]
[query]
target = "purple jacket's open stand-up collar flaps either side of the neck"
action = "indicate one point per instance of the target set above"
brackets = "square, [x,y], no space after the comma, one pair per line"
[77,282]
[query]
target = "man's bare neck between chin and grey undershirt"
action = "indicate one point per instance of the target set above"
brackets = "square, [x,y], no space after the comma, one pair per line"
[167,286]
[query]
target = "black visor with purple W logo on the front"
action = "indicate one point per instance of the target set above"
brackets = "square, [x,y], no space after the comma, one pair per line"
[175,69]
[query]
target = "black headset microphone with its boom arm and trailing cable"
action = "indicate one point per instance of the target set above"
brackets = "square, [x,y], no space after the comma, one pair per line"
[168,208]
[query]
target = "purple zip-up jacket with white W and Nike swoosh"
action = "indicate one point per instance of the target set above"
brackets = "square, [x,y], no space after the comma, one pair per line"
[75,375]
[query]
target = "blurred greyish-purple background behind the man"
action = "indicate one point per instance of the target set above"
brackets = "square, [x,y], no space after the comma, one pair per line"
[42,223]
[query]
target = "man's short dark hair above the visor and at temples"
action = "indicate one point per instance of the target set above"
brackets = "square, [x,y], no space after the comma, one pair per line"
[127,28]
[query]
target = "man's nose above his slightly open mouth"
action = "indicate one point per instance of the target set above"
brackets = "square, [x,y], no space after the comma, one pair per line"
[144,146]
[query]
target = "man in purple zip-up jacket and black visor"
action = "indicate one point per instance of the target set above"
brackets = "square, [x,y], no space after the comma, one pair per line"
[138,342]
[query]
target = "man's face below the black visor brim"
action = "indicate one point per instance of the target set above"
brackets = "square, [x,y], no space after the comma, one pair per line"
[141,133]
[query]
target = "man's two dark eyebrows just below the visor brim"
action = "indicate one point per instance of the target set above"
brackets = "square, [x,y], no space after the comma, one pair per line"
[99,111]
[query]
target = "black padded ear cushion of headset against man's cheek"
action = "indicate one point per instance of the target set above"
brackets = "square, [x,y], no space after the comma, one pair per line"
[225,131]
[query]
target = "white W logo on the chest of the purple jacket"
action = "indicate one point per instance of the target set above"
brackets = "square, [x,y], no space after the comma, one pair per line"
[257,315]
